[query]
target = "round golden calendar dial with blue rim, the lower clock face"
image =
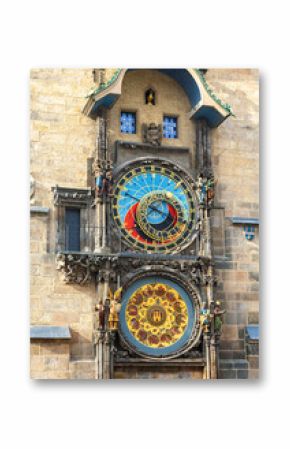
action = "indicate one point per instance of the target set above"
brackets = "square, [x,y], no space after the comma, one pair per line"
[157,316]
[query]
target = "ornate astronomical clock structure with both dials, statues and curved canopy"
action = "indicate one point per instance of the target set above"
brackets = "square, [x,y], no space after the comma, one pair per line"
[152,190]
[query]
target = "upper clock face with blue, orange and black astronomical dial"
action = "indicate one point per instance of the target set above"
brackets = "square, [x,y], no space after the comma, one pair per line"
[154,207]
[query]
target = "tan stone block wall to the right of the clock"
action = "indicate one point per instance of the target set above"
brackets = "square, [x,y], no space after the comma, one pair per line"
[235,146]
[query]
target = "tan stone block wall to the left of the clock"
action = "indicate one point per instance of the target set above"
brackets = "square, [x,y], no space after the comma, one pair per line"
[62,140]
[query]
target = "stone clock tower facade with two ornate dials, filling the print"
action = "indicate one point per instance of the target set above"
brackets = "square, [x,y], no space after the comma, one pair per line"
[144,224]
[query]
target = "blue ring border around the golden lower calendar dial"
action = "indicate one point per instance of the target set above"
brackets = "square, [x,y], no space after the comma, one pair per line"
[191,297]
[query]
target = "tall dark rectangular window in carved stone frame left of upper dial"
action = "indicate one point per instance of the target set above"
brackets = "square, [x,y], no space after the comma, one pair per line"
[72,229]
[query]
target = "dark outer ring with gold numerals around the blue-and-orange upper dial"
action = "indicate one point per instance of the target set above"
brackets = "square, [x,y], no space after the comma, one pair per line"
[163,167]
